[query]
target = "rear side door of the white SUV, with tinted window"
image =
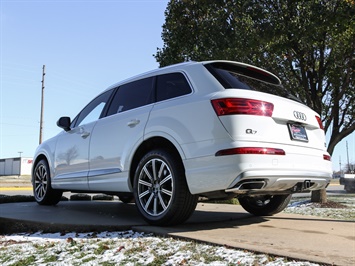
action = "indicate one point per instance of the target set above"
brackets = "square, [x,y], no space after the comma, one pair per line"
[115,136]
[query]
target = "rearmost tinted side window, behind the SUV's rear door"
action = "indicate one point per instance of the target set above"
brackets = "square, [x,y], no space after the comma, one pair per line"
[171,86]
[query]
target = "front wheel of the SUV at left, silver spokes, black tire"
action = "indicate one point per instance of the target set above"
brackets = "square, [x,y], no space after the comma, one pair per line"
[42,189]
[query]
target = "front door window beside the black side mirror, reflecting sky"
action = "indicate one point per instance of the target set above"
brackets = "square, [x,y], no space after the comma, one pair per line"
[93,110]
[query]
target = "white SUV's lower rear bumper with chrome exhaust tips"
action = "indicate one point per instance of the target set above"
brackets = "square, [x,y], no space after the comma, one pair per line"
[242,174]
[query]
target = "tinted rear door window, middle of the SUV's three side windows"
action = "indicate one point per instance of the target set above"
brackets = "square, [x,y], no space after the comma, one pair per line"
[132,95]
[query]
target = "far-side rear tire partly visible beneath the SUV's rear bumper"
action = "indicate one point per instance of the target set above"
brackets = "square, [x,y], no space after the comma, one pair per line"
[264,205]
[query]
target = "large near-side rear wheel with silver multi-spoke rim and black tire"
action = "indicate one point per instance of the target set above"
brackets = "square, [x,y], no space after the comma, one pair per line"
[160,189]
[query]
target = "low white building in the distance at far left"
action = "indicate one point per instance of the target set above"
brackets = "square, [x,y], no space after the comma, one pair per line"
[16,166]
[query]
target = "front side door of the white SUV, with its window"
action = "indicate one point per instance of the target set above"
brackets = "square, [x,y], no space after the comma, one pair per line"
[72,149]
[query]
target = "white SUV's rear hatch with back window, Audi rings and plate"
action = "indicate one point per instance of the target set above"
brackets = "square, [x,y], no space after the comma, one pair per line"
[255,107]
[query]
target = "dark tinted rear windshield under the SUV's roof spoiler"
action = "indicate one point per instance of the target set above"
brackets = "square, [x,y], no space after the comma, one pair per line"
[247,78]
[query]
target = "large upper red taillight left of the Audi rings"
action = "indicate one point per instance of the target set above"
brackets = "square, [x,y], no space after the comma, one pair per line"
[242,106]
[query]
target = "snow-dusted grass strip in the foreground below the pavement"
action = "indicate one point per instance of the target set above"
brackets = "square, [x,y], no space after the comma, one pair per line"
[124,248]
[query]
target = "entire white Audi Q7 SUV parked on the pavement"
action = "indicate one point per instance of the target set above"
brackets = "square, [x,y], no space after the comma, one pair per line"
[216,129]
